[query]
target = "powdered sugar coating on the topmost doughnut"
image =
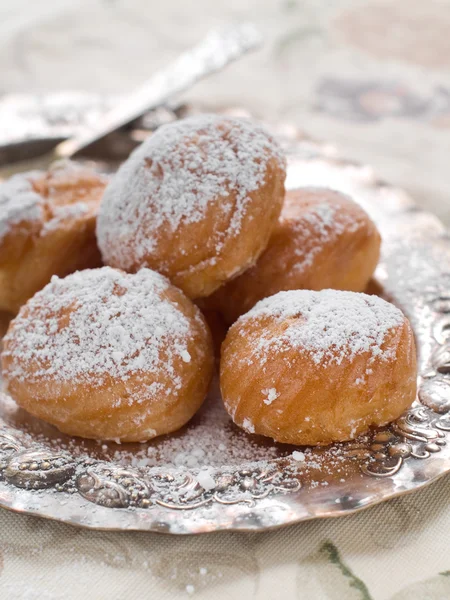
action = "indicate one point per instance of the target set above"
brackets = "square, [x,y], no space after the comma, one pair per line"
[173,177]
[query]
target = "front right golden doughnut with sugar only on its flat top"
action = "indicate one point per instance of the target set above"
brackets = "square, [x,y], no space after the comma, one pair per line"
[307,367]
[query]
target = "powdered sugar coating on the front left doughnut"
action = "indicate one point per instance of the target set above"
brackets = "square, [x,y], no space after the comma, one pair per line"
[97,323]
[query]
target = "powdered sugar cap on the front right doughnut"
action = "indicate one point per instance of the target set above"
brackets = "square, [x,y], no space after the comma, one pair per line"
[330,325]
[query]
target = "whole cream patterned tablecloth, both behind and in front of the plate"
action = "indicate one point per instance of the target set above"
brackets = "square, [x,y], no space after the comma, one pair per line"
[373,77]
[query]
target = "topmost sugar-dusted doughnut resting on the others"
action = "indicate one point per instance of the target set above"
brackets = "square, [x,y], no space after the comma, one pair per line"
[197,202]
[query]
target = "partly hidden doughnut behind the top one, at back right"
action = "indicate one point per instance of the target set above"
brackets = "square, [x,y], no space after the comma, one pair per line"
[323,240]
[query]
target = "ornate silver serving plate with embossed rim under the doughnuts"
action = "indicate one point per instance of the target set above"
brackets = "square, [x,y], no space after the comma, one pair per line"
[83,483]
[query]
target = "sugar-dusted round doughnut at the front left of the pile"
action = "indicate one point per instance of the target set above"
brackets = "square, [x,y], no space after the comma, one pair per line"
[107,355]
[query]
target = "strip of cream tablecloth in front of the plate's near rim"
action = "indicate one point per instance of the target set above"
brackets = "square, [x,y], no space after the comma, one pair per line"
[398,550]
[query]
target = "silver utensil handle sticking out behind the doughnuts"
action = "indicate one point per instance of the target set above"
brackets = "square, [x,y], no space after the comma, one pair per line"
[218,49]
